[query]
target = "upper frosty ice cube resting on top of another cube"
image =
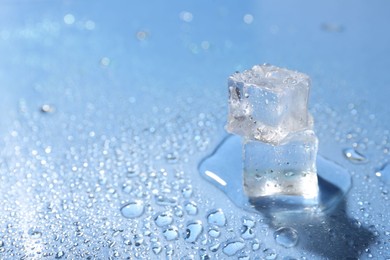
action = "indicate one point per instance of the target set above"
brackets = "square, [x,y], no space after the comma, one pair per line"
[266,103]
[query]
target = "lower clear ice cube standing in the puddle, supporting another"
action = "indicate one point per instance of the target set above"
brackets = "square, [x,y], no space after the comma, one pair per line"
[286,169]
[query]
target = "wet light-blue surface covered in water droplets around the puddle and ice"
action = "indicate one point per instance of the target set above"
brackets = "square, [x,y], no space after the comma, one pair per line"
[138,97]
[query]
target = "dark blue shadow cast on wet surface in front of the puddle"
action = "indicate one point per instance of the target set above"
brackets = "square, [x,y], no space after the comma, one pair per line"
[330,234]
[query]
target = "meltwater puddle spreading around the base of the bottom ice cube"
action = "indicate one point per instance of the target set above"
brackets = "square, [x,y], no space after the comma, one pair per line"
[223,168]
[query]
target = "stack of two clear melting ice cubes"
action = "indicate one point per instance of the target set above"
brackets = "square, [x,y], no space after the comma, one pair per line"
[268,108]
